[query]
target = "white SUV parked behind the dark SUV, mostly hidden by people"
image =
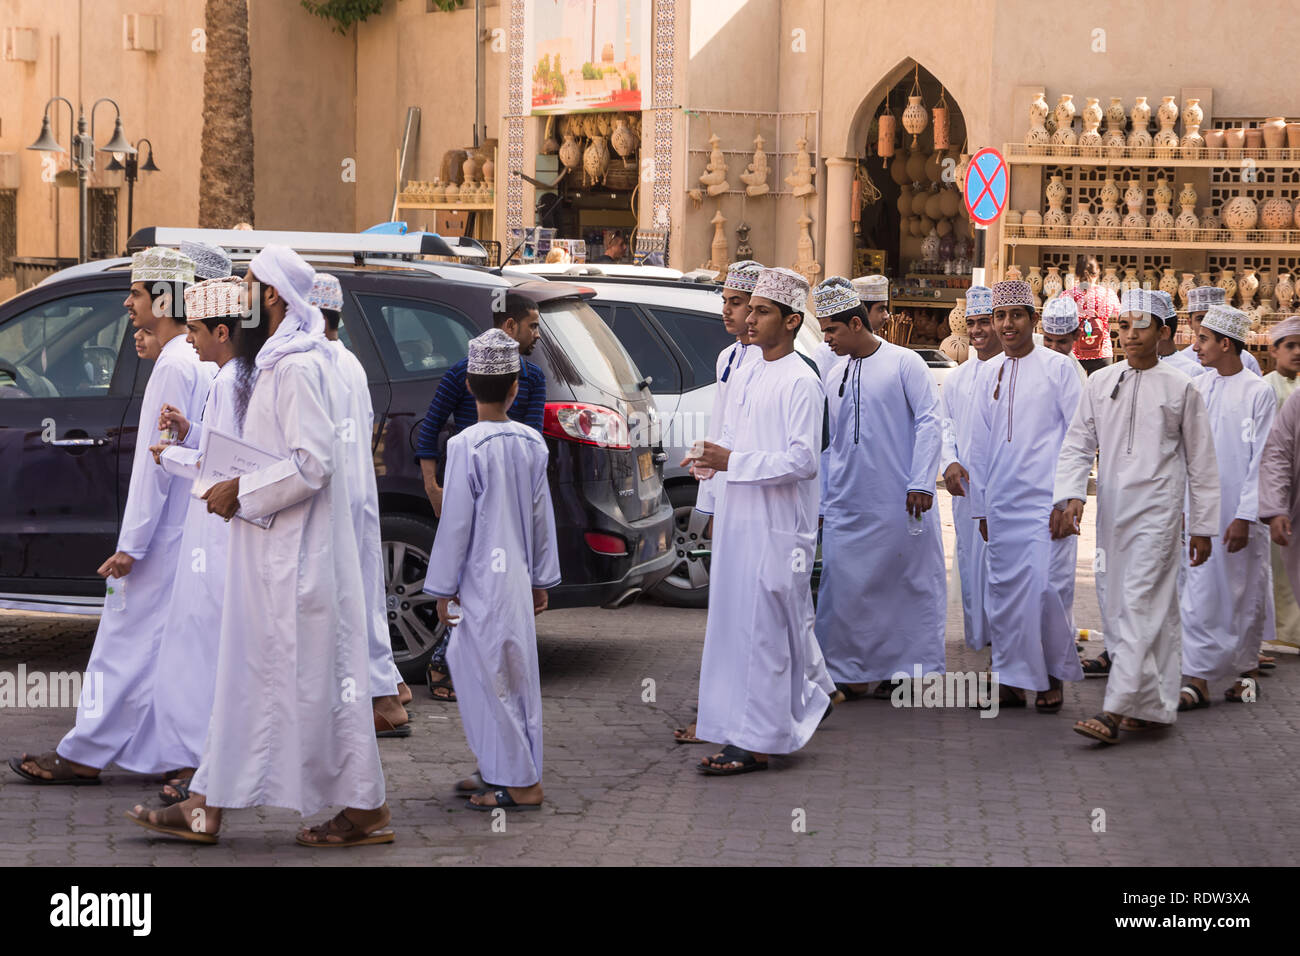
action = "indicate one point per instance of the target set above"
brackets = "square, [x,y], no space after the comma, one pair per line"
[673,327]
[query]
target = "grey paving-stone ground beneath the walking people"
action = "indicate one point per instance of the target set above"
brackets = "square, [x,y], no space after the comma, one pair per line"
[877,785]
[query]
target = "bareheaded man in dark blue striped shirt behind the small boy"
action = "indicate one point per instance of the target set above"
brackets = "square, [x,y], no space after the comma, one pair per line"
[519,319]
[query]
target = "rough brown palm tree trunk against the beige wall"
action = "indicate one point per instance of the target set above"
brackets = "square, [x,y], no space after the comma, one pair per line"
[227,174]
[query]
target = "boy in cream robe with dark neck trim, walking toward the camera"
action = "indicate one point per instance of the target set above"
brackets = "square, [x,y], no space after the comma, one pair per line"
[1151,426]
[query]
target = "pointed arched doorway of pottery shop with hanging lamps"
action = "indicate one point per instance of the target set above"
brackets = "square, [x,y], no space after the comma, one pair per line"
[911,209]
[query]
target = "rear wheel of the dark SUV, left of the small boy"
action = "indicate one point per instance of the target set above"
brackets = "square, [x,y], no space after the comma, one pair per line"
[414,626]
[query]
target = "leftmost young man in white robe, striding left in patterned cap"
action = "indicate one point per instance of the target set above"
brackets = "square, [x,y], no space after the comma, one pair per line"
[112,725]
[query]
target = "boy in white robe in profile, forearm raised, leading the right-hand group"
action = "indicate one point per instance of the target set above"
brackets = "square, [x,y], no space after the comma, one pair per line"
[756,691]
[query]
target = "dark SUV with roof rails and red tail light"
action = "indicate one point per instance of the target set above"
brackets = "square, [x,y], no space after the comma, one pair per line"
[68,427]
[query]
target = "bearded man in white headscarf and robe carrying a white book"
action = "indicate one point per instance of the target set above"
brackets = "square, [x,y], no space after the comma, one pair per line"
[292,721]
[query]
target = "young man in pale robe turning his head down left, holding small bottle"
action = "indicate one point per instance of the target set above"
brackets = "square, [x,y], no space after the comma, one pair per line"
[883,598]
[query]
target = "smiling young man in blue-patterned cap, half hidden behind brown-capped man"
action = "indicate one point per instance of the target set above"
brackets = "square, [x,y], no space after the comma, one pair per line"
[957,408]
